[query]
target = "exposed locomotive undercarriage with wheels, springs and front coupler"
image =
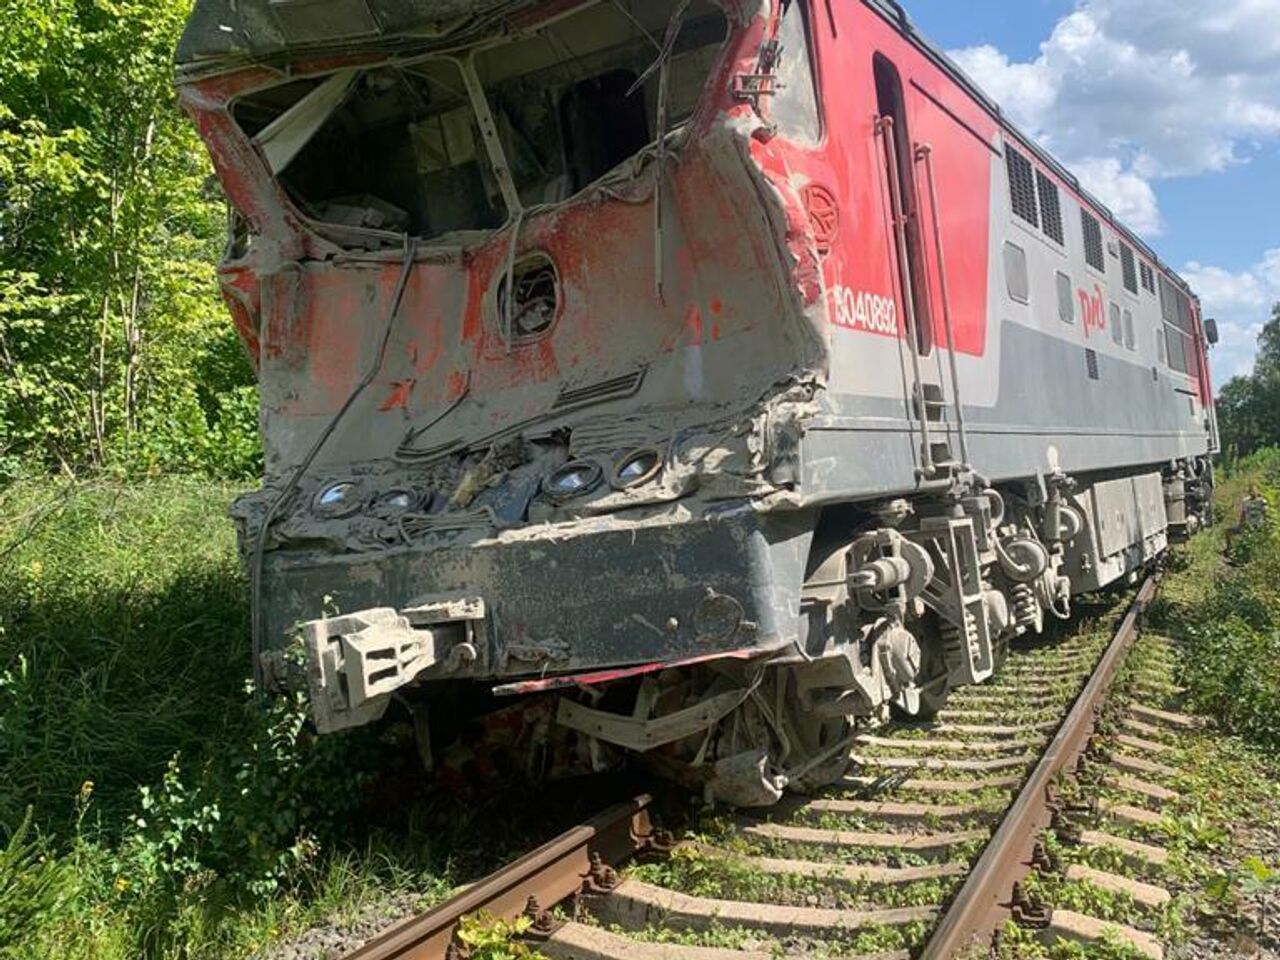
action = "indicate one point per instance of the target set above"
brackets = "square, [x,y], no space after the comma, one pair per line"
[900,602]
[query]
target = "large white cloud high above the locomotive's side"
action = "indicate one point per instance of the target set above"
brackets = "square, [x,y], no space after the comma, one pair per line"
[1128,92]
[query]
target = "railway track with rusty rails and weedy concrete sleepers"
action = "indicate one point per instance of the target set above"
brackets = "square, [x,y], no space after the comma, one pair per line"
[947,833]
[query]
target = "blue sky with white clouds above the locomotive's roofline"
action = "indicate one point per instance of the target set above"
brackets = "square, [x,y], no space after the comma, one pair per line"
[1169,112]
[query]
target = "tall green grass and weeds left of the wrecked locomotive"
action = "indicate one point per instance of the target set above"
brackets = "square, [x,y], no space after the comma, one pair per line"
[148,806]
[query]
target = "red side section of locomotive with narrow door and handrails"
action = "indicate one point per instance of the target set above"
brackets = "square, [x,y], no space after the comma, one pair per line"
[913,158]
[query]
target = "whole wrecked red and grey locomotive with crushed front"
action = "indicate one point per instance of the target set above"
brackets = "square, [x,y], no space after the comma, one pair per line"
[721,374]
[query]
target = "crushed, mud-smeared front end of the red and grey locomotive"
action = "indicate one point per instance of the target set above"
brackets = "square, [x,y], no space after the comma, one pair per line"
[533,350]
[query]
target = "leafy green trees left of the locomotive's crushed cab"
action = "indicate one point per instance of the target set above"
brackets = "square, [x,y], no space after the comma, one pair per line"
[108,244]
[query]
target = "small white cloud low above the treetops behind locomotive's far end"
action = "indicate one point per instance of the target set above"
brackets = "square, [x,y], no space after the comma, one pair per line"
[1241,303]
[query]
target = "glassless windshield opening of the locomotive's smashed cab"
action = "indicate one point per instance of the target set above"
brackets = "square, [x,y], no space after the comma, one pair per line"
[449,145]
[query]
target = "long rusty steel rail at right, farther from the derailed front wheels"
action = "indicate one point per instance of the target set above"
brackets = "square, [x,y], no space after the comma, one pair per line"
[985,900]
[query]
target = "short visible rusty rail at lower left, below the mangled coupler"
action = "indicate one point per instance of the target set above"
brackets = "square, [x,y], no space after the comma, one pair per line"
[551,874]
